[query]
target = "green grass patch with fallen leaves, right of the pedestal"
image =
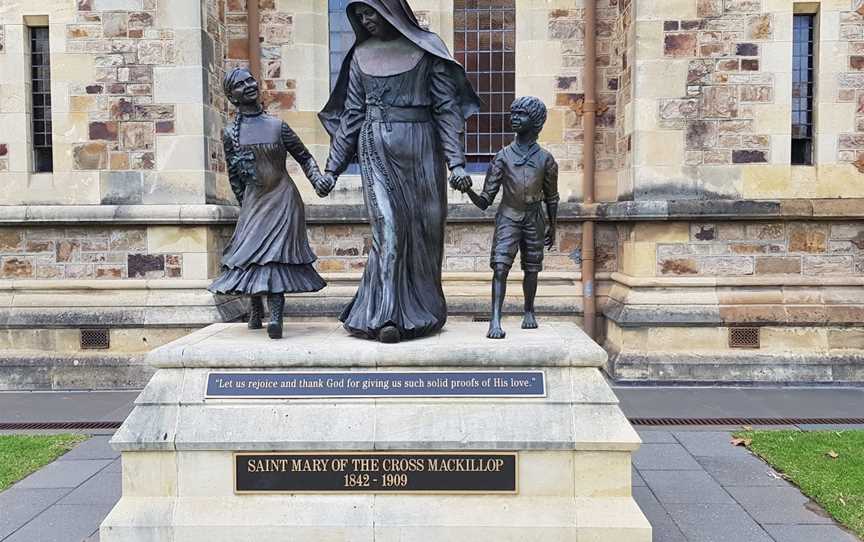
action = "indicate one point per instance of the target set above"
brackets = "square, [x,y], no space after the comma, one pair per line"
[828,466]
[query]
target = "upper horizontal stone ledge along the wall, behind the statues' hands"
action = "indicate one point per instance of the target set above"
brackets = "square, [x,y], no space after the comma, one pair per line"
[355,213]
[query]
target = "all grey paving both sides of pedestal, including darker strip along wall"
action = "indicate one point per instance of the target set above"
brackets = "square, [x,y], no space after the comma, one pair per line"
[693,485]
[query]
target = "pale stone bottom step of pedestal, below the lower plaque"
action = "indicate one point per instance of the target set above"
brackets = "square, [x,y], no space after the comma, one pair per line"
[360,518]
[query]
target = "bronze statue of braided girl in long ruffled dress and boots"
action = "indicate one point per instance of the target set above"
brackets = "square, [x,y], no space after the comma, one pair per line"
[269,254]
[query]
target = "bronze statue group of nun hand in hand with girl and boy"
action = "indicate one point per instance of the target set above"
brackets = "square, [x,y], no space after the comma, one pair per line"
[399,95]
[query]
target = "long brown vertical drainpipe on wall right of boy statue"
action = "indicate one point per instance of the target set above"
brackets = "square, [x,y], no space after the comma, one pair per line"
[589,125]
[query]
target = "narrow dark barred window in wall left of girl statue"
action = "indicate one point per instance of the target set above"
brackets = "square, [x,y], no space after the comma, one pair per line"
[40,84]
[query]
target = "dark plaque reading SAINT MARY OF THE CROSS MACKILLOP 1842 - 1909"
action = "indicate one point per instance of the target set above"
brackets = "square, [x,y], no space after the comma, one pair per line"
[376,472]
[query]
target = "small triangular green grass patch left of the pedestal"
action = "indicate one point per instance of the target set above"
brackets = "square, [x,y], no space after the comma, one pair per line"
[21,455]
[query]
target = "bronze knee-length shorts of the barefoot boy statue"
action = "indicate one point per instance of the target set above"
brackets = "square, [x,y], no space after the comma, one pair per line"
[525,236]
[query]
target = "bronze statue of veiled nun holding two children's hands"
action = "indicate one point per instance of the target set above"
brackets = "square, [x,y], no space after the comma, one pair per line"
[399,105]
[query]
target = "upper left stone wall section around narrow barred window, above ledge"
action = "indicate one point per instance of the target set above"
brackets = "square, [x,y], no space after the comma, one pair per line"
[128,104]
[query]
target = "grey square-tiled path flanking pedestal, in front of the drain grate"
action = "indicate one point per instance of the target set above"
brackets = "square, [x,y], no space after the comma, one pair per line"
[693,486]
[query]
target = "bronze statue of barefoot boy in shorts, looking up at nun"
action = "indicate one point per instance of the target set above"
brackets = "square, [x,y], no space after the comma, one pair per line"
[529,175]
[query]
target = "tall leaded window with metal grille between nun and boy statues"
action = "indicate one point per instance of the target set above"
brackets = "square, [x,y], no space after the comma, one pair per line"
[485,43]
